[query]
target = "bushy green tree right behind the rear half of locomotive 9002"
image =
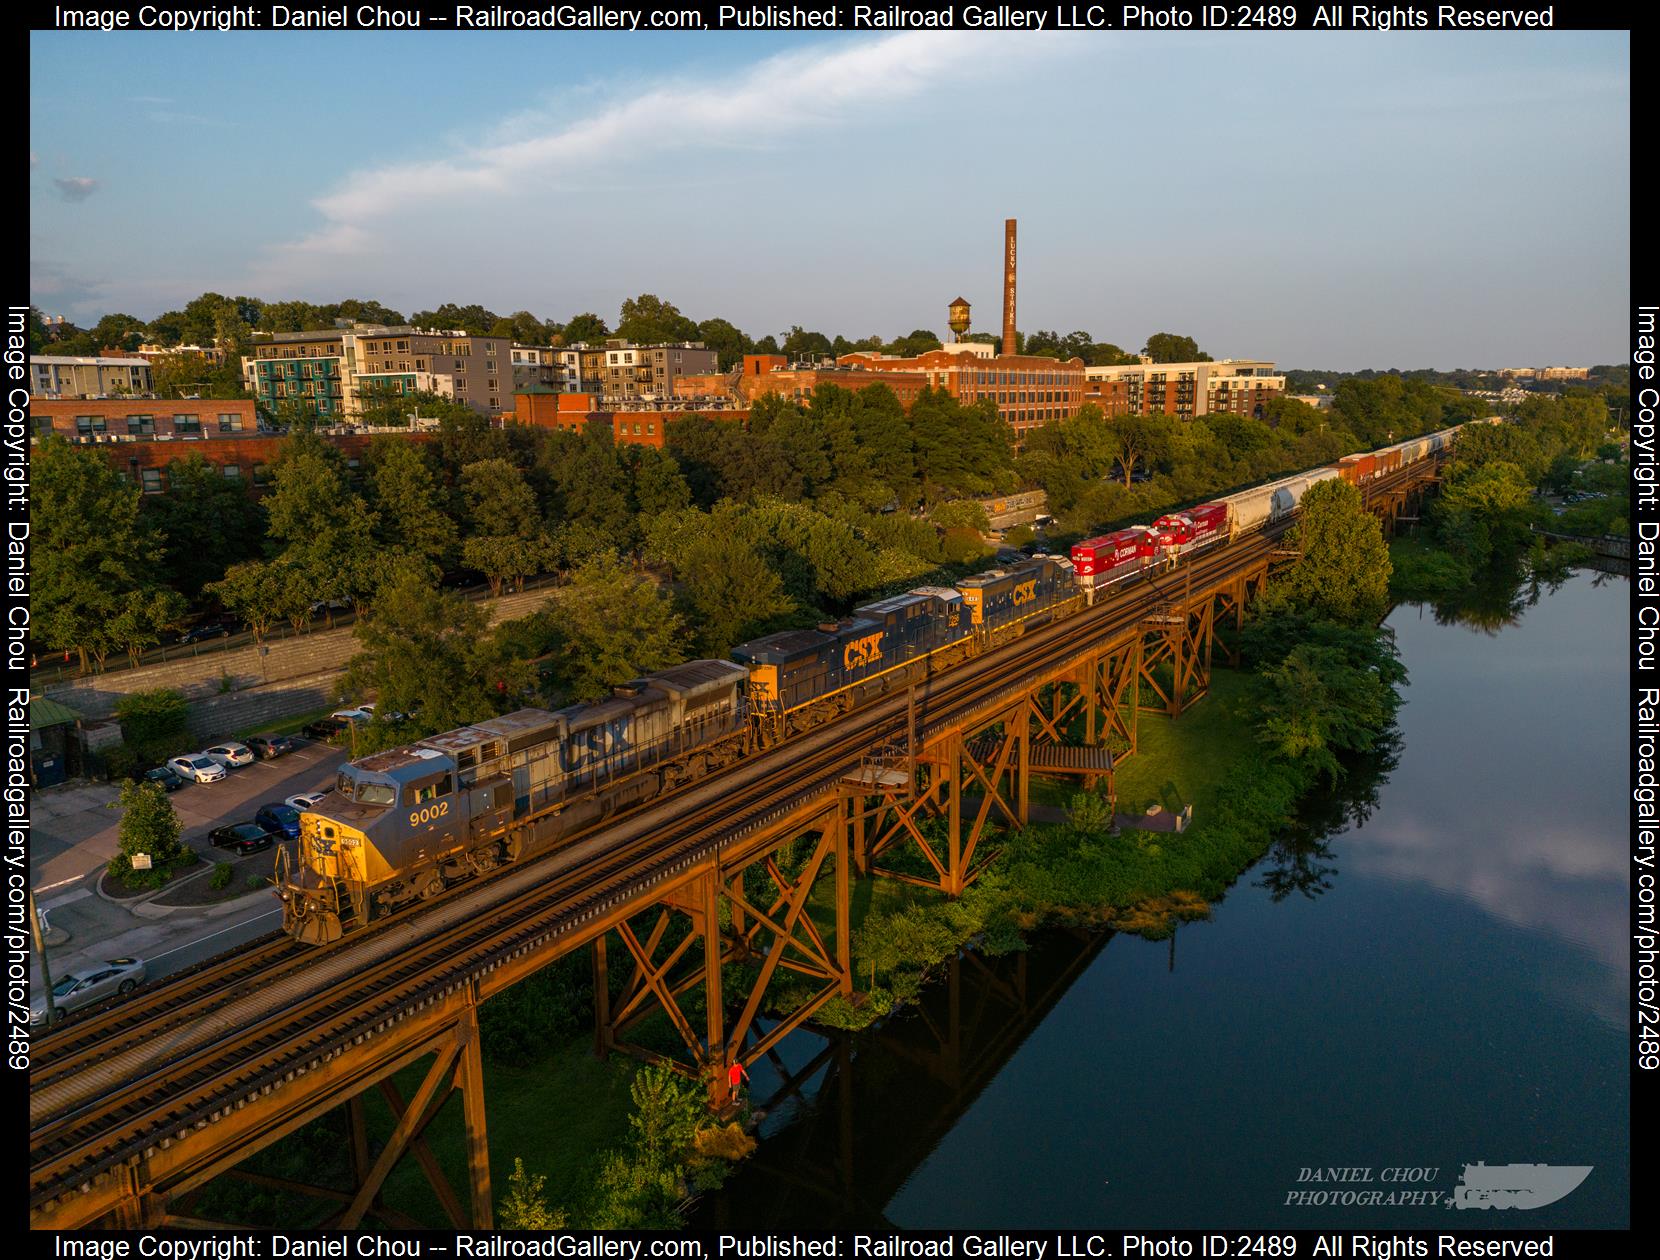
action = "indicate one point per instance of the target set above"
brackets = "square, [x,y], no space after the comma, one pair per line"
[613,627]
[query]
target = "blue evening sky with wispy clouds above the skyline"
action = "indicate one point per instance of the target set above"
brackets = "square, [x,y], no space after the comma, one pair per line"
[1340,202]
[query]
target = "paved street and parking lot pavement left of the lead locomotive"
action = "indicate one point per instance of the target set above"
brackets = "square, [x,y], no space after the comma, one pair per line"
[77,834]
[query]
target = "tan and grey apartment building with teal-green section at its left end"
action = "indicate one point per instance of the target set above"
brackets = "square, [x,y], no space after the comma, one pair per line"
[334,374]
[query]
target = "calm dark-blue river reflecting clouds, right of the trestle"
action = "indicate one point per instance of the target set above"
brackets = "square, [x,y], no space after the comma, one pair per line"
[1452,992]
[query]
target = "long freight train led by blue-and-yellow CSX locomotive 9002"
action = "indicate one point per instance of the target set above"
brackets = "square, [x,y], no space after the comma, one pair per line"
[404,826]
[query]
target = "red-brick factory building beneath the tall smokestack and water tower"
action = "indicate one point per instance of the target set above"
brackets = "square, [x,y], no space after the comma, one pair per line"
[1028,391]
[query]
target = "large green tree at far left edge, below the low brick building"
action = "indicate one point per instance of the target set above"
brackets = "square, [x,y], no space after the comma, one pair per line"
[90,547]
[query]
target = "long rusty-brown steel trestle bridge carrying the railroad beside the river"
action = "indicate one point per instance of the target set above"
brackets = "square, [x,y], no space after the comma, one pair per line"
[135,1110]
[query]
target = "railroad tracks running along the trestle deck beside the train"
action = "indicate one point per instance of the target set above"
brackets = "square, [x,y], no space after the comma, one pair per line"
[162,1063]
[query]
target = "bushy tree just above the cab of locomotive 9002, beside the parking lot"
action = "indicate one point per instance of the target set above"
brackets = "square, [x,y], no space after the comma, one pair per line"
[427,653]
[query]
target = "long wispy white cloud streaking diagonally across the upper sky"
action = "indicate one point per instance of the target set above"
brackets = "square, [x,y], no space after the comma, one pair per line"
[784,97]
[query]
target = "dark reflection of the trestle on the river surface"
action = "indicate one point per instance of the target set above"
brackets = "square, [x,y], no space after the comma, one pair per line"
[862,1115]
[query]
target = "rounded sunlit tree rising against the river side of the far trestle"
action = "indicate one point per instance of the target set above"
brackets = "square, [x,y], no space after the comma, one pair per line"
[1344,572]
